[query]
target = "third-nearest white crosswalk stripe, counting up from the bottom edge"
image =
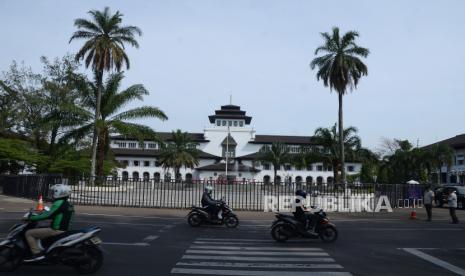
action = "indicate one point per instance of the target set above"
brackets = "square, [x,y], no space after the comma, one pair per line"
[257,259]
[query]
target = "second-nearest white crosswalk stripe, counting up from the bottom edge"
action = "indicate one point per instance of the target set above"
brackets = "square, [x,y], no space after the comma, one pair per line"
[261,265]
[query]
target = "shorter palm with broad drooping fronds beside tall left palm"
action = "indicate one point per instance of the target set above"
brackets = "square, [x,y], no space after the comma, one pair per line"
[110,120]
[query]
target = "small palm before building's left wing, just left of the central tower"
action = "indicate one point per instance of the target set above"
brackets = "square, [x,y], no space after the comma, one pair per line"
[181,151]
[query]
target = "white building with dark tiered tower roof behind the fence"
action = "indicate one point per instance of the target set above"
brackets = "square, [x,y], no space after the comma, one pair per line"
[230,139]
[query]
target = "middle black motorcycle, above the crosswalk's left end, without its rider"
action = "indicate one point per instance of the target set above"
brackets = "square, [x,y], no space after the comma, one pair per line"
[199,215]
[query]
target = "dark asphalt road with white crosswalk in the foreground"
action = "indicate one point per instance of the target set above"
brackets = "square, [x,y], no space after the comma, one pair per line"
[137,245]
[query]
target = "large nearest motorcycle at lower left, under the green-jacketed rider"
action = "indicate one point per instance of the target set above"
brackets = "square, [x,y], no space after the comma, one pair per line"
[78,248]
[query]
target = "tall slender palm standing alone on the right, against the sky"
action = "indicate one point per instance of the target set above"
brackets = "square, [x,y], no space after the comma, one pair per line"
[340,68]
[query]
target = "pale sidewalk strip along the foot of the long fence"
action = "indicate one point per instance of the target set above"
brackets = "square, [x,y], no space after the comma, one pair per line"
[20,205]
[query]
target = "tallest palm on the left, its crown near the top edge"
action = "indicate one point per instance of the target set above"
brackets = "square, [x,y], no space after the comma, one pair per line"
[103,50]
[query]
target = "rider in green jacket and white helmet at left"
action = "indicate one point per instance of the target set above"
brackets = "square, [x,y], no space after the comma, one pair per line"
[60,213]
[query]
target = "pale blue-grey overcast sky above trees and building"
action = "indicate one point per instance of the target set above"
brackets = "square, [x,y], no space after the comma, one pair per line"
[194,54]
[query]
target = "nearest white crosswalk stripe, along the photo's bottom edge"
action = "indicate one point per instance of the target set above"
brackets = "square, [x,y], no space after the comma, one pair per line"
[255,272]
